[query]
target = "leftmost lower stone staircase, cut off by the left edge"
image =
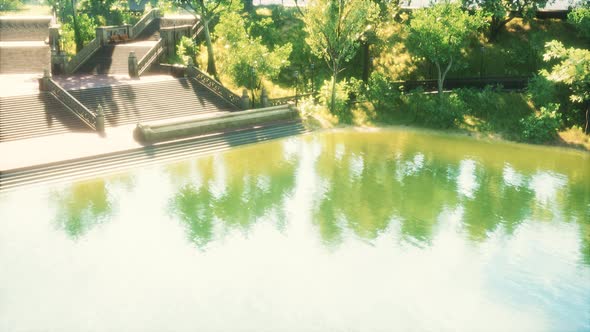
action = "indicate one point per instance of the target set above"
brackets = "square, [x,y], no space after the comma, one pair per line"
[30,116]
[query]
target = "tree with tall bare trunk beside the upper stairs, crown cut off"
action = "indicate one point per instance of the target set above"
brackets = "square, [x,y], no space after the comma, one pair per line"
[206,11]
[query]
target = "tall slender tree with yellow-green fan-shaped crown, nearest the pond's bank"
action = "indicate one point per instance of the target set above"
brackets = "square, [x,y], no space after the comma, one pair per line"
[334,29]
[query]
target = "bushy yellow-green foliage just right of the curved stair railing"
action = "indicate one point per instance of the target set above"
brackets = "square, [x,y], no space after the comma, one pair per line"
[247,60]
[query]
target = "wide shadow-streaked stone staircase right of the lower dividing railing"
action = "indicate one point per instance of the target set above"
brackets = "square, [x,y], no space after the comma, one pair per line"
[144,102]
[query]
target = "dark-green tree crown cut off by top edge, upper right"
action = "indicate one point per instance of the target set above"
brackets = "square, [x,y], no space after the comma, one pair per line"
[503,11]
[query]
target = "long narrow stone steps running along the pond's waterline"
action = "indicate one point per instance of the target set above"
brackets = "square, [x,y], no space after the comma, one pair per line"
[162,153]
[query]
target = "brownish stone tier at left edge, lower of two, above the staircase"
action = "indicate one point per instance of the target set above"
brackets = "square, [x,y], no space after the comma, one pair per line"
[18,58]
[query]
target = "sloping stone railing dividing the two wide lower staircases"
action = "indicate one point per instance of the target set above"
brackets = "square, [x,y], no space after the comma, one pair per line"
[94,121]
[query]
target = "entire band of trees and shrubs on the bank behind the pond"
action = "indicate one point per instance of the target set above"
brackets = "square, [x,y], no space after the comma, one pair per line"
[354,56]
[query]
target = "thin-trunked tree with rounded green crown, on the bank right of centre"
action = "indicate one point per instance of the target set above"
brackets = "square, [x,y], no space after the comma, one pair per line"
[440,33]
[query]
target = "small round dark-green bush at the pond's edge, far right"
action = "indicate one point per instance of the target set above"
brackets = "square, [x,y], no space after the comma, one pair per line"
[542,126]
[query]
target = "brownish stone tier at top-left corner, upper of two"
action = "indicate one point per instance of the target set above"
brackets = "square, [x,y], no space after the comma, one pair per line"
[26,28]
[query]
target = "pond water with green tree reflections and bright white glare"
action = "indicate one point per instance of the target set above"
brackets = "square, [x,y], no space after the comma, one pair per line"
[385,230]
